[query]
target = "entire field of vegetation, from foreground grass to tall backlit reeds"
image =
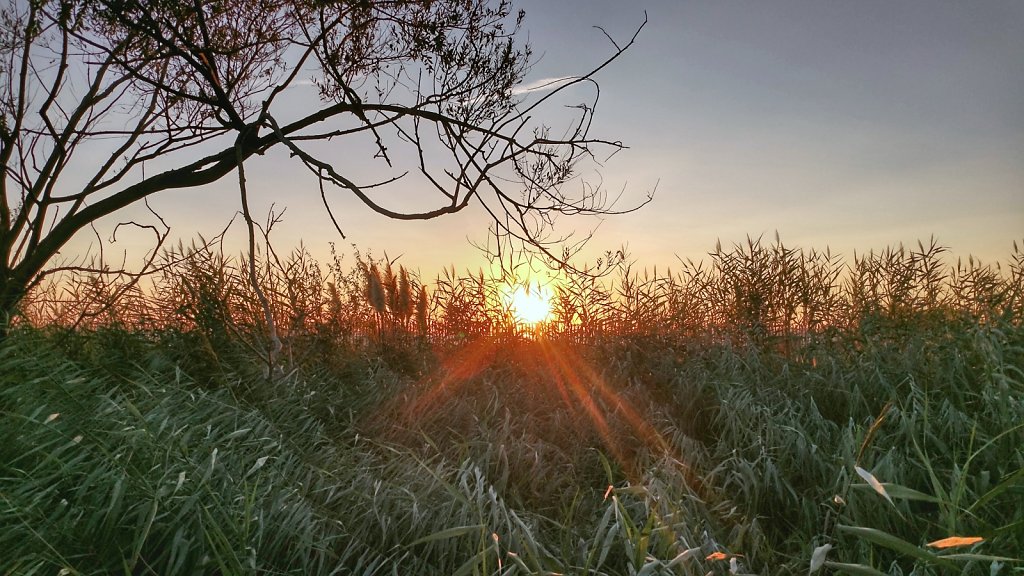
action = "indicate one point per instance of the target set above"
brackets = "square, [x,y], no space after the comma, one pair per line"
[766,410]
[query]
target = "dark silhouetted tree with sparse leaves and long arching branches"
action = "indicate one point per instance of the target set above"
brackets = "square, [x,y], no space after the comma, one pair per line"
[194,89]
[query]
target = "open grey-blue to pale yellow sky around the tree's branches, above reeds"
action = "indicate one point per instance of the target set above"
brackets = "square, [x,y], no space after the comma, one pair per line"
[849,126]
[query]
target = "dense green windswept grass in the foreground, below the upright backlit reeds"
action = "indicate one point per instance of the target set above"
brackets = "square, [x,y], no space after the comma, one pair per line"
[121,454]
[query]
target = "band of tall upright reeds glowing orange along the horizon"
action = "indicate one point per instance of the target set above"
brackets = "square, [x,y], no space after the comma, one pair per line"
[770,296]
